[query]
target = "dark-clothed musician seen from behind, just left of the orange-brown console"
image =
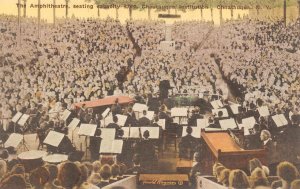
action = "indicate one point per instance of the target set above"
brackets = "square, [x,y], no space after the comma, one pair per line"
[187,144]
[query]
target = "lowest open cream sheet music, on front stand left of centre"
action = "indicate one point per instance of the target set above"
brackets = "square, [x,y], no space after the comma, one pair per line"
[111,146]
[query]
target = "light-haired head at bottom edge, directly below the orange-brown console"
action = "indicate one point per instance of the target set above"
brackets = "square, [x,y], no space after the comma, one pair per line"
[238,179]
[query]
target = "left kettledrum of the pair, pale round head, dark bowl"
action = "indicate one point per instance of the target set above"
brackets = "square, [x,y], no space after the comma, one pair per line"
[32,159]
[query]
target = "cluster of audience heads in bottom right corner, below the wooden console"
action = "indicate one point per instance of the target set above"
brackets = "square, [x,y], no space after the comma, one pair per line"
[287,176]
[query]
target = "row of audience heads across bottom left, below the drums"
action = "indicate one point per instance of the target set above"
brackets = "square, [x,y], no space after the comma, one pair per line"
[66,175]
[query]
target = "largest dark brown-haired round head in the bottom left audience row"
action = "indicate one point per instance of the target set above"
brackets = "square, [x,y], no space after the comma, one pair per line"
[68,175]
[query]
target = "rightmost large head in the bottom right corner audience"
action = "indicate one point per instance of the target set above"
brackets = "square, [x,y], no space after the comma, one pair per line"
[287,173]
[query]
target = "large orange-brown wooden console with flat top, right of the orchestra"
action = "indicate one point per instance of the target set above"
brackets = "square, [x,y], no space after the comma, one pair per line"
[221,147]
